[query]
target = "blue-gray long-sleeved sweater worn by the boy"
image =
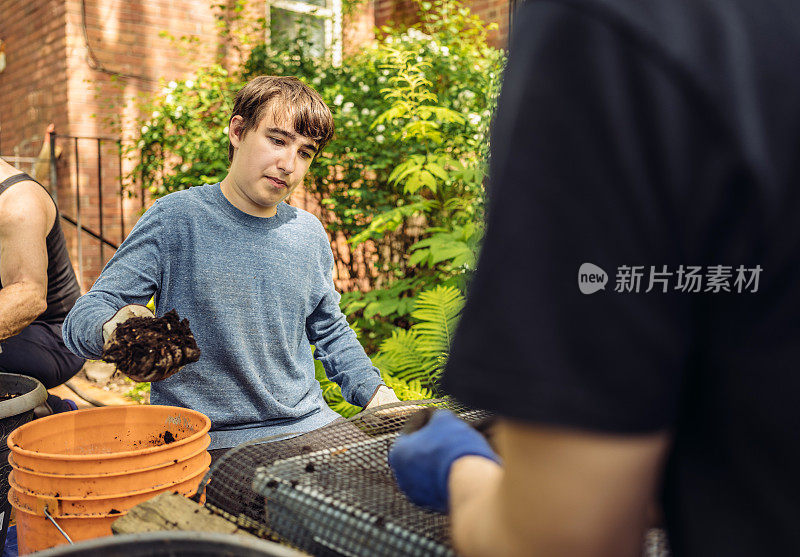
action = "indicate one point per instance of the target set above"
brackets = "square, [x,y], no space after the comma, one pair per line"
[256,292]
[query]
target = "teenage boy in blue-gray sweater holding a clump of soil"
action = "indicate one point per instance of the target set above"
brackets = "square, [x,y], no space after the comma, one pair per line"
[252,275]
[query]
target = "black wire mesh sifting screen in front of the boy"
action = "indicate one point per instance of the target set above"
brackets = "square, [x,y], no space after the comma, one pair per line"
[330,492]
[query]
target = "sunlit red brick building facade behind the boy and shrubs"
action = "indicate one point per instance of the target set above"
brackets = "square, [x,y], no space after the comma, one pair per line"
[81,64]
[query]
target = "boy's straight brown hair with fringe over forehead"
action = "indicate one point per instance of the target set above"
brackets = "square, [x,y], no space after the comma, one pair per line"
[292,101]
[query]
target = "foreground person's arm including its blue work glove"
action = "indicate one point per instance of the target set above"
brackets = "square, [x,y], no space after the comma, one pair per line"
[557,492]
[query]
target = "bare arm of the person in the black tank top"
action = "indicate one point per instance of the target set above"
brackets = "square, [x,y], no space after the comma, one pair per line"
[23,259]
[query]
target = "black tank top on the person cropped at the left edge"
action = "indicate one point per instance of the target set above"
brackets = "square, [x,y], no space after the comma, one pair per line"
[62,286]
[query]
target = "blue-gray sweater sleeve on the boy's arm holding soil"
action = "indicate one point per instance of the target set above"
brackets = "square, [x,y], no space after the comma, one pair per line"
[132,276]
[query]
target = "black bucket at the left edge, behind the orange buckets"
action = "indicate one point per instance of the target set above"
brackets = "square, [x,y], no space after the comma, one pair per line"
[19,395]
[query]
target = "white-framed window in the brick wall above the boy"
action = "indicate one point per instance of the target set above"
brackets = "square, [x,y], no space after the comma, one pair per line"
[321,19]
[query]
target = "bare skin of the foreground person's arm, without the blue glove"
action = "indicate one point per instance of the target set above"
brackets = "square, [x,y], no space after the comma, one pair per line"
[560,492]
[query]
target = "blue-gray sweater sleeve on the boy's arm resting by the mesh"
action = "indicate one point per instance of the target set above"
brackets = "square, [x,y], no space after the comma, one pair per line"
[337,346]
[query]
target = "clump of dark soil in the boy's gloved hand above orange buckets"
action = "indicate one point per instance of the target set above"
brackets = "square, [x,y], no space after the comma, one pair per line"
[152,349]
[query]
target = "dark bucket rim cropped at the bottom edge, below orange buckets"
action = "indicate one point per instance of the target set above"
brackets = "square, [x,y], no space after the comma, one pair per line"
[173,543]
